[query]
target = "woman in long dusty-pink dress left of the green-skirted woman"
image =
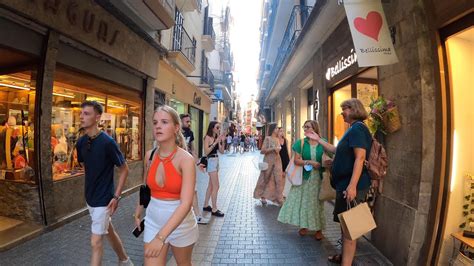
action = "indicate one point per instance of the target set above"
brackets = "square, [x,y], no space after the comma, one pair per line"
[270,182]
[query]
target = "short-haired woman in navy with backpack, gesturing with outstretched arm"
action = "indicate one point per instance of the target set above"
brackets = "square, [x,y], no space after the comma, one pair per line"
[349,176]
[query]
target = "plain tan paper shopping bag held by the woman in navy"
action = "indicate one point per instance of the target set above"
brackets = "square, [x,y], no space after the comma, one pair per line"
[357,221]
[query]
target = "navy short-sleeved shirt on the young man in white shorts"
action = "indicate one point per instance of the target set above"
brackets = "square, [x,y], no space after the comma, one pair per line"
[99,159]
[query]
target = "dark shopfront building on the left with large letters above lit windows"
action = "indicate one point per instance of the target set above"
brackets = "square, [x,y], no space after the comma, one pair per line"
[55,55]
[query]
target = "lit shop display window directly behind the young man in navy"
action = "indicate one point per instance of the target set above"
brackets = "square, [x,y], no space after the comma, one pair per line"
[121,119]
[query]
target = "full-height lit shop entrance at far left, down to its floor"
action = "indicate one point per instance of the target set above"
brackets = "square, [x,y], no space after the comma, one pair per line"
[20,212]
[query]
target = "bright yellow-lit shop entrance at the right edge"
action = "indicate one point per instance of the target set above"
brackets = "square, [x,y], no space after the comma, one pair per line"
[459,202]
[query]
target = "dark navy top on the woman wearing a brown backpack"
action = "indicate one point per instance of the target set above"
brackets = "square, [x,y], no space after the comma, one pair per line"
[357,136]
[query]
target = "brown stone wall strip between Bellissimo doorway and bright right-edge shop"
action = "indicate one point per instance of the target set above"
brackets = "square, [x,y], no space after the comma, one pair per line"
[403,208]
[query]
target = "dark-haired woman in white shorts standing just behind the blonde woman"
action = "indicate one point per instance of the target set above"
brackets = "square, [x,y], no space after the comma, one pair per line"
[213,142]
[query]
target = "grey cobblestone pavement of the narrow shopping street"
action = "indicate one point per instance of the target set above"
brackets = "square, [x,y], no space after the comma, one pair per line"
[248,234]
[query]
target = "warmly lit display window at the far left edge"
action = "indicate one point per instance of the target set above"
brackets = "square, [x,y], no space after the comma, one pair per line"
[17,114]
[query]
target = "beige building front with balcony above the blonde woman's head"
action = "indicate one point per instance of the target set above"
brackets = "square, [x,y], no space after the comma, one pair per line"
[183,80]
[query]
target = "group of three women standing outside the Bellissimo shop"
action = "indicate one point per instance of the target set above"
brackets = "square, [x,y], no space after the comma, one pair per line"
[300,204]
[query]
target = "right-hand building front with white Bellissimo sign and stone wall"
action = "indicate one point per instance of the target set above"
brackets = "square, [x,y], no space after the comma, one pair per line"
[425,196]
